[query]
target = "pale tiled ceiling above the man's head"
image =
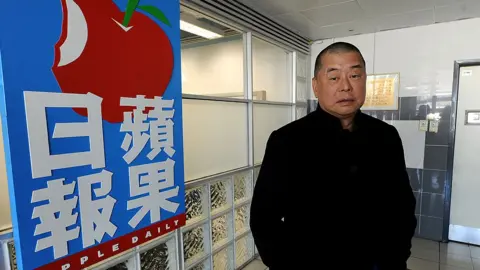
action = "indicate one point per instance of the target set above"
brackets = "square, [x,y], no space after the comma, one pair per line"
[321,19]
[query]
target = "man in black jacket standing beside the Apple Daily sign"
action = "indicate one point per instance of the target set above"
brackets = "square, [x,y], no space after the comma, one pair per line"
[333,191]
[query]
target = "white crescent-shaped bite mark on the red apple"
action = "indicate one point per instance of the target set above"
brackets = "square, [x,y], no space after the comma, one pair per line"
[77,34]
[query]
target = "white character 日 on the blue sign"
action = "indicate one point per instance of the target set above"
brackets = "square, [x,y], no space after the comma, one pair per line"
[41,160]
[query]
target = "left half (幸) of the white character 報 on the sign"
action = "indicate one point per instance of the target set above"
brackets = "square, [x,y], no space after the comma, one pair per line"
[55,217]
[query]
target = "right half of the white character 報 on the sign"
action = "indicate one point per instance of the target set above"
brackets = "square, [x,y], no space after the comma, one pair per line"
[96,223]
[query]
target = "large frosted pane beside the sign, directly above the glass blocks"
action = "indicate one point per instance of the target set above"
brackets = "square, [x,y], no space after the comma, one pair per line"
[215,137]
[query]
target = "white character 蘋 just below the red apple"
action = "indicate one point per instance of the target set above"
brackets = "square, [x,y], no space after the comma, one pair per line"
[159,130]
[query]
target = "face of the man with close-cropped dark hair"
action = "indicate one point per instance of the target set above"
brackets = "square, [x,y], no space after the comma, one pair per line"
[340,84]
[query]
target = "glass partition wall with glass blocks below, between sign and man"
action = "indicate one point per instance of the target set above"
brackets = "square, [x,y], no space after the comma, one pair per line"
[237,88]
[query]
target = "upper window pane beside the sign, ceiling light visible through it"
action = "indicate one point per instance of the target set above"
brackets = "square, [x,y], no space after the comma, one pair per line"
[211,65]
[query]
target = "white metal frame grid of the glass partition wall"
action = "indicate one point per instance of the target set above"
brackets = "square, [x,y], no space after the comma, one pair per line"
[174,241]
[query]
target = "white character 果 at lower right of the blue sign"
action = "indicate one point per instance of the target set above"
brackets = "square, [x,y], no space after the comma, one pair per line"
[155,181]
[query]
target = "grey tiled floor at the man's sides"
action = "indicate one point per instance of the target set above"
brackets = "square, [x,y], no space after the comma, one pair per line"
[429,255]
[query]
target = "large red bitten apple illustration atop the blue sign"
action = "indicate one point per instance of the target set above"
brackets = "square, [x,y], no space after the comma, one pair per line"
[112,54]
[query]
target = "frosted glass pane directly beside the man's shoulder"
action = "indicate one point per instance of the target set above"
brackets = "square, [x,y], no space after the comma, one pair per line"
[267,118]
